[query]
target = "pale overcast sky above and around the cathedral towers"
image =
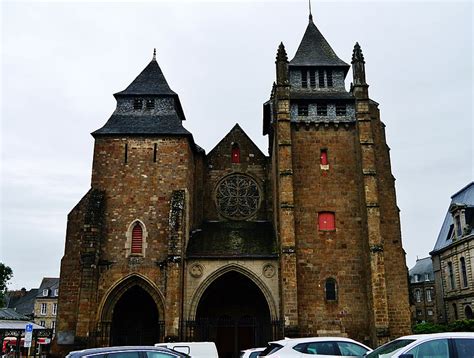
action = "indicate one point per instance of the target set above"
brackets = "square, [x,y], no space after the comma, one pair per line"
[61,63]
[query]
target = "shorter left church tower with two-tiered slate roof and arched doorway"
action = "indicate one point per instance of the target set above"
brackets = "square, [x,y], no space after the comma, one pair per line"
[122,267]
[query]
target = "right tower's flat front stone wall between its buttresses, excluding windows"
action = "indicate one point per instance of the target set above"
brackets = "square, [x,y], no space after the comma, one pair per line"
[339,254]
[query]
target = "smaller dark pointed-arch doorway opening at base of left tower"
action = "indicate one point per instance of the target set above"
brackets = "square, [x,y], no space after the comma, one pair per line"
[135,319]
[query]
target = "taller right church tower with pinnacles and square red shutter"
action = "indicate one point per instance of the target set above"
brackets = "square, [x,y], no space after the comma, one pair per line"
[342,264]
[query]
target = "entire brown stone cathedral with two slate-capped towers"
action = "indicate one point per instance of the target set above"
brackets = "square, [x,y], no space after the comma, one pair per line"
[237,246]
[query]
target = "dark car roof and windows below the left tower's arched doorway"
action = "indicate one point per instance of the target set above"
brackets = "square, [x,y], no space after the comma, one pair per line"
[127,352]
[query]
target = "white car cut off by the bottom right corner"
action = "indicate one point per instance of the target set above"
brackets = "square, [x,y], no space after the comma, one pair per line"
[438,345]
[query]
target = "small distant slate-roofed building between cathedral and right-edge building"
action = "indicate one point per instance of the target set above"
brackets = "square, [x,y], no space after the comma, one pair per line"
[422,292]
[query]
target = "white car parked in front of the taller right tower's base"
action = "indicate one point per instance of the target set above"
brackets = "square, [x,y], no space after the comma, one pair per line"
[302,347]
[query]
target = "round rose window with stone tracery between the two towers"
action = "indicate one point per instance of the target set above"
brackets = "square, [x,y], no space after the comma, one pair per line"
[237,197]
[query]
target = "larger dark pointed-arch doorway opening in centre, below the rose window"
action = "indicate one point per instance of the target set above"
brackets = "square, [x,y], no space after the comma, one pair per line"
[234,313]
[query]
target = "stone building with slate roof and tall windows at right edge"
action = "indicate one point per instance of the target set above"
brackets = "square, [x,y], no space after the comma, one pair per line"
[453,259]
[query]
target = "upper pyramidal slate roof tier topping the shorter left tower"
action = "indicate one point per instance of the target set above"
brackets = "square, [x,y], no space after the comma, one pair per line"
[150,81]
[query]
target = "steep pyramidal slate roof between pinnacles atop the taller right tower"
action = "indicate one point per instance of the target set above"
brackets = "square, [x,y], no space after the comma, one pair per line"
[314,50]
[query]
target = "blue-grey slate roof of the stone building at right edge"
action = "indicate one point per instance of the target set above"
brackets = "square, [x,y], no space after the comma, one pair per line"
[465,196]
